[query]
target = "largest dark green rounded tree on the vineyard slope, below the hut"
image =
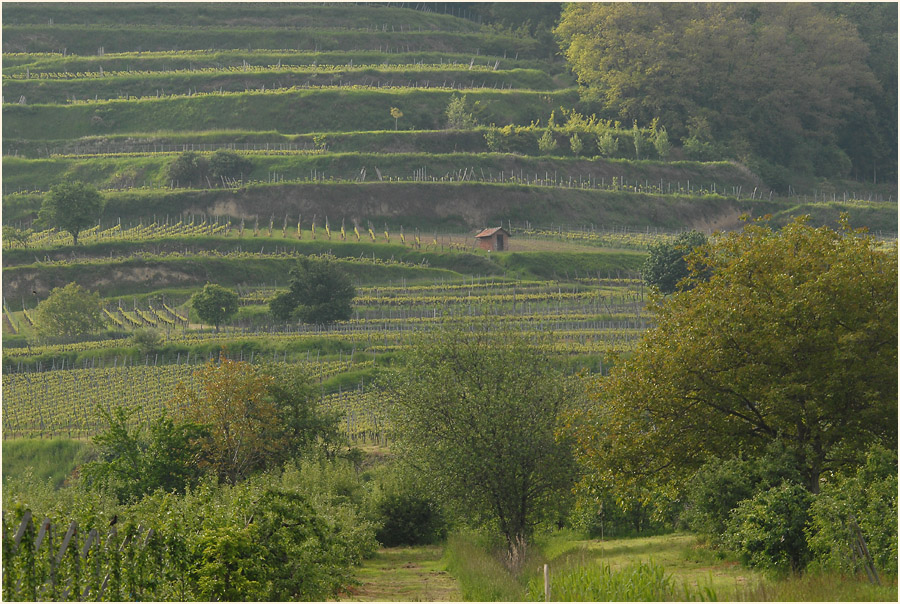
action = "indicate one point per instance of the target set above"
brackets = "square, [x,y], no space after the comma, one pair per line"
[320,292]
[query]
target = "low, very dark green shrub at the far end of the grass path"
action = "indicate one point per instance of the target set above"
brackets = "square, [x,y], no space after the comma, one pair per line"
[409,519]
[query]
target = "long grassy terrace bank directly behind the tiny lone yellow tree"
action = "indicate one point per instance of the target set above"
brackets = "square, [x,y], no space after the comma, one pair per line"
[289,111]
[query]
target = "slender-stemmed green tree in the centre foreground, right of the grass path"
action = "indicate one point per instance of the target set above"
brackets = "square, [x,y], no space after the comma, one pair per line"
[476,413]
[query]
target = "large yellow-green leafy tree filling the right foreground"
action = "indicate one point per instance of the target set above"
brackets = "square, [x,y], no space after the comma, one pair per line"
[792,338]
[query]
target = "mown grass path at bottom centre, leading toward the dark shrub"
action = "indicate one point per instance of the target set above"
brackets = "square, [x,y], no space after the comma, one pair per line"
[404,574]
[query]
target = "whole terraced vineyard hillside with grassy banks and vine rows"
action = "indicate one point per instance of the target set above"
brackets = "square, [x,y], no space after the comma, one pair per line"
[382,137]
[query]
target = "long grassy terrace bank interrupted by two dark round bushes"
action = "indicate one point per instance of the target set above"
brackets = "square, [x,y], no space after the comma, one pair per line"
[150,170]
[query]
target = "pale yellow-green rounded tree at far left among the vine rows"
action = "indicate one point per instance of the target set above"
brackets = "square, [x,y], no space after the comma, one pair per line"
[68,312]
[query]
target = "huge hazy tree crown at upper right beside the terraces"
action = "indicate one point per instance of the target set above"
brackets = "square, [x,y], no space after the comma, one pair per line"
[740,73]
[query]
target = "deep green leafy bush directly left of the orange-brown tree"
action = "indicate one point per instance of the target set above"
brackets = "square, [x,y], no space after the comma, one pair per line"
[135,461]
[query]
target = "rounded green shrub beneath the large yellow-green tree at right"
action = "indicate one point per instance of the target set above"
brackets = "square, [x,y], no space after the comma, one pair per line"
[767,530]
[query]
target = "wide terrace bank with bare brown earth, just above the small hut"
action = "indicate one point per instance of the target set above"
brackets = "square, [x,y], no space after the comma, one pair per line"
[428,205]
